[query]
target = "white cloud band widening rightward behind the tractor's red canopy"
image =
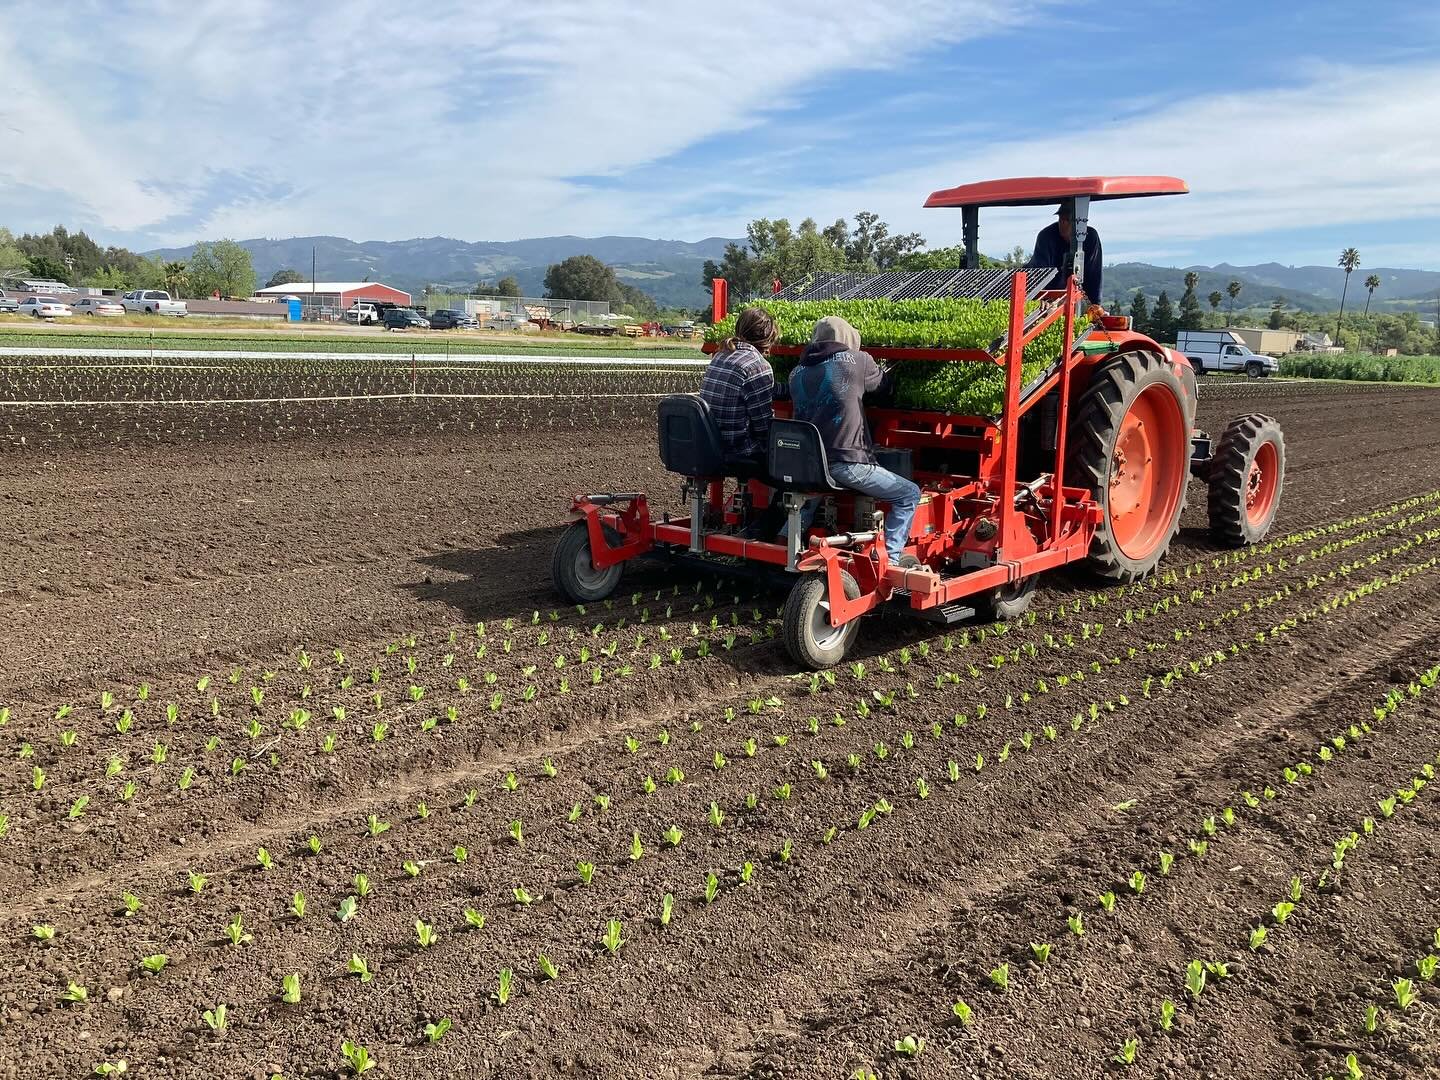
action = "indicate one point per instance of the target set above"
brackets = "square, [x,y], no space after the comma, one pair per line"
[1343,149]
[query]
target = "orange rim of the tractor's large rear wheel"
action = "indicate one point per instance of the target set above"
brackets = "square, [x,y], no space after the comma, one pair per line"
[1147,473]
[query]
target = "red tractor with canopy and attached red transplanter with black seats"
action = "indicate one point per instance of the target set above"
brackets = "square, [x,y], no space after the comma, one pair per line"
[1089,463]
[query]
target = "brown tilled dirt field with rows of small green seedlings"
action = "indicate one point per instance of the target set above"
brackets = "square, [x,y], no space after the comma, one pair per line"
[852,859]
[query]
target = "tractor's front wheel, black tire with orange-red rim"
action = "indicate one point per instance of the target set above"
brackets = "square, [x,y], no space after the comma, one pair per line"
[1246,480]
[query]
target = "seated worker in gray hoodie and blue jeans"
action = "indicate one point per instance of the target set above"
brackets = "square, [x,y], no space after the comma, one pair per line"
[827,388]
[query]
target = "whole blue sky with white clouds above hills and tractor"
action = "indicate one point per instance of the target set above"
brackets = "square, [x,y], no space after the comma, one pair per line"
[1302,127]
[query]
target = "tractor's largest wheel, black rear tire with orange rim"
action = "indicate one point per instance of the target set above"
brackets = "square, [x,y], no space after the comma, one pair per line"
[1130,446]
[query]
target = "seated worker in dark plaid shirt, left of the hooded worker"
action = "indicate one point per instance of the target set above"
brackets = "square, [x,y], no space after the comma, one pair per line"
[739,390]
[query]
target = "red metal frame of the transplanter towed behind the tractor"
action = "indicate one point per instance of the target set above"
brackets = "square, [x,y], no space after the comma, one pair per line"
[961,516]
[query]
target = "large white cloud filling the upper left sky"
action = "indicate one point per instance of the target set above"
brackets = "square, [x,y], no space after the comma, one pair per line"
[469,119]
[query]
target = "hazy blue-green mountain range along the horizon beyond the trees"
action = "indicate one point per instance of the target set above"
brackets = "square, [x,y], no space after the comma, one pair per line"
[670,270]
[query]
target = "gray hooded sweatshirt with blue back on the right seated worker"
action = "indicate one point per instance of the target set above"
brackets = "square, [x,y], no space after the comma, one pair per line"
[829,385]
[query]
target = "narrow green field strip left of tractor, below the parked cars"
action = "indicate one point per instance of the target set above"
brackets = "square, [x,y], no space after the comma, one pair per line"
[293,338]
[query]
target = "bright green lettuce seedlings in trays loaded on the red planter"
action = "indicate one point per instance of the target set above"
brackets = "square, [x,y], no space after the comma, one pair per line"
[963,388]
